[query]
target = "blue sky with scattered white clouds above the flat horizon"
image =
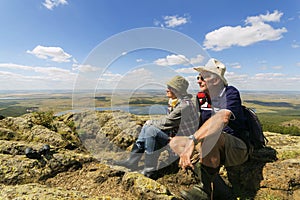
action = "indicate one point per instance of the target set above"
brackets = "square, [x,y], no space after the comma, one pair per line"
[108,44]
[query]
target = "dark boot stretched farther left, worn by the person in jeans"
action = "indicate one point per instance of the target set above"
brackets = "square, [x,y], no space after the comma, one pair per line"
[134,158]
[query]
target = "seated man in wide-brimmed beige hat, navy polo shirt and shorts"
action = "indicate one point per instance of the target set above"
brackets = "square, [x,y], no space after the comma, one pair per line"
[218,140]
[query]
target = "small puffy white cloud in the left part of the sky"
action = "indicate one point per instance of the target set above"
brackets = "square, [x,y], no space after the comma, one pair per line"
[56,54]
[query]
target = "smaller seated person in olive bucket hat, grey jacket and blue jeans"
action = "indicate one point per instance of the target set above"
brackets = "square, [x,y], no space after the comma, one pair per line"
[182,118]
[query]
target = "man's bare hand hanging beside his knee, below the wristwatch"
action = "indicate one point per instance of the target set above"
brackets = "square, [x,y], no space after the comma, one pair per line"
[185,156]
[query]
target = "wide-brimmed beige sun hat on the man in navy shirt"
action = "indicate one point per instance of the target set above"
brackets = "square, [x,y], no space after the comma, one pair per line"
[214,66]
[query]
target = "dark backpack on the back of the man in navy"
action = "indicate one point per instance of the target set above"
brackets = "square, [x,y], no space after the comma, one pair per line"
[254,135]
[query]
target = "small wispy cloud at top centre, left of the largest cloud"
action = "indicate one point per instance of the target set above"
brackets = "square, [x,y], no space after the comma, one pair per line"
[172,21]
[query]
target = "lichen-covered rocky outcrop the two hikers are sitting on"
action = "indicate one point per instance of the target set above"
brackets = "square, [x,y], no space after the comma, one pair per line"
[83,145]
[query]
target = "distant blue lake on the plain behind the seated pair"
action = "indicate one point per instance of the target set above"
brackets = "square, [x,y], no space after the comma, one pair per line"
[137,110]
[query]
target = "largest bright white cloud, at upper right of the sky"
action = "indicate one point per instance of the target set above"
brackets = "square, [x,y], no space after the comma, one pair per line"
[256,31]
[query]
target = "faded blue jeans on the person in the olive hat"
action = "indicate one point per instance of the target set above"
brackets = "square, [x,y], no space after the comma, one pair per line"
[153,138]
